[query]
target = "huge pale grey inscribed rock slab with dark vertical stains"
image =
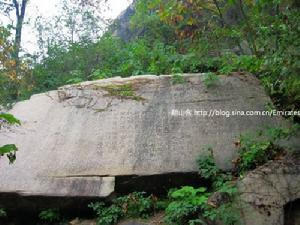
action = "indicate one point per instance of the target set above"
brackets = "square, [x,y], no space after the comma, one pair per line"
[76,140]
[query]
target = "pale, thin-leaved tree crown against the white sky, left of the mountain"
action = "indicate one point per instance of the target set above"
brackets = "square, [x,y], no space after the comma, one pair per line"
[79,21]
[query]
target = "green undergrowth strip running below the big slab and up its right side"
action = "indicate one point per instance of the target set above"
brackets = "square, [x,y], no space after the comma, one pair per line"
[202,205]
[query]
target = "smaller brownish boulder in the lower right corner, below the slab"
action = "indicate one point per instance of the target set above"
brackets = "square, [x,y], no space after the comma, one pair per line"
[266,190]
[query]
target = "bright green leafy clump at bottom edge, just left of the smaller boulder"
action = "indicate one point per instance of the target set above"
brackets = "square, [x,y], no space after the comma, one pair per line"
[189,205]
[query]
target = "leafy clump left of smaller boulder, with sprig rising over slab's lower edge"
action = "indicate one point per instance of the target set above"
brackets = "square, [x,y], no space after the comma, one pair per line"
[190,205]
